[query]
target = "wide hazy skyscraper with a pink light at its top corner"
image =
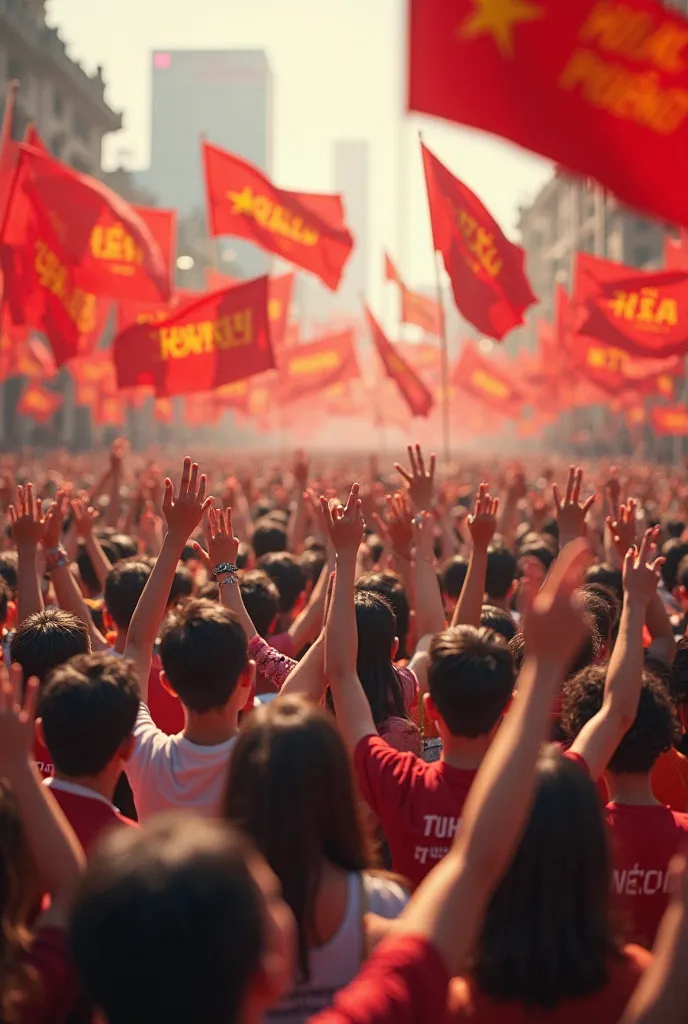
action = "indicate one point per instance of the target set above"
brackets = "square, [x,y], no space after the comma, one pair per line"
[225,96]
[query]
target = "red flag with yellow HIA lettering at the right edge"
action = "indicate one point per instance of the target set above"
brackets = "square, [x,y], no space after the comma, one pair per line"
[643,313]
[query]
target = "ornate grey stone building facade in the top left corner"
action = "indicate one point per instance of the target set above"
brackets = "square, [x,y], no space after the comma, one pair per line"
[66,104]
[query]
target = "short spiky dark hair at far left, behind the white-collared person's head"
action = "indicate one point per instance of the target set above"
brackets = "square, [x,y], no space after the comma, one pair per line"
[49,639]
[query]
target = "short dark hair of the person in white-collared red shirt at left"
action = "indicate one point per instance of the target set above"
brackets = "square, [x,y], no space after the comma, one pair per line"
[89,709]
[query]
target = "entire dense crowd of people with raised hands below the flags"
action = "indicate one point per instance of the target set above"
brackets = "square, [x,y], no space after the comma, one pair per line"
[279,747]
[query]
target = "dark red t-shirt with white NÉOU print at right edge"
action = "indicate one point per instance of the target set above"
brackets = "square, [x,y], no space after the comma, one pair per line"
[643,842]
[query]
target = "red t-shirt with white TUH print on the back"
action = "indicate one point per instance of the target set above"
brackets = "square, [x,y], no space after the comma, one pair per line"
[418,805]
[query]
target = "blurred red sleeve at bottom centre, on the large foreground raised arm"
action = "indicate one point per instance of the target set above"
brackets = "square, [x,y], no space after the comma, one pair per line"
[405,982]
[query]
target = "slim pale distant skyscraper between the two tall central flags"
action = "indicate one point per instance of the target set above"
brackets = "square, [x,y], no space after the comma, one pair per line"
[353,178]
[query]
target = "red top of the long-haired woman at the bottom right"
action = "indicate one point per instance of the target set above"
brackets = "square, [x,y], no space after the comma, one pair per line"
[469,1004]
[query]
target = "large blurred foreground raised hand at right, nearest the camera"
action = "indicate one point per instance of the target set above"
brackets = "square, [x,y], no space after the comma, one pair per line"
[554,620]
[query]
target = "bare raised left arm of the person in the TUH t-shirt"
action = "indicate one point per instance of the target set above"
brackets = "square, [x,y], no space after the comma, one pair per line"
[355,718]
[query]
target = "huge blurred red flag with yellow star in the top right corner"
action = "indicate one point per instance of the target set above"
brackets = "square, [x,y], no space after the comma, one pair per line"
[553,76]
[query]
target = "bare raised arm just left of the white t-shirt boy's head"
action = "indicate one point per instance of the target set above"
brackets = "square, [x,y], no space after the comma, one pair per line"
[183,515]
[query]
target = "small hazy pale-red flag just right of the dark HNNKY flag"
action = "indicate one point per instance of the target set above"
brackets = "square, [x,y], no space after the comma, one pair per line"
[315,367]
